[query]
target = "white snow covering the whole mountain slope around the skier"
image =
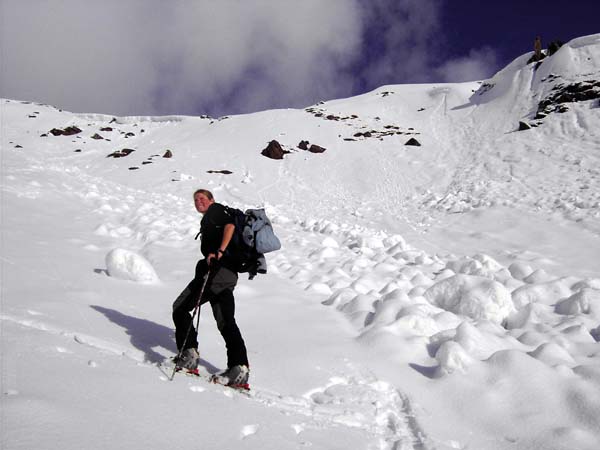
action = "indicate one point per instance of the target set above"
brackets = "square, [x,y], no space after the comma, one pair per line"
[437,297]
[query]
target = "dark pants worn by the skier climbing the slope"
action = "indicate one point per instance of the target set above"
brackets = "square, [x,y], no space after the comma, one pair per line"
[219,292]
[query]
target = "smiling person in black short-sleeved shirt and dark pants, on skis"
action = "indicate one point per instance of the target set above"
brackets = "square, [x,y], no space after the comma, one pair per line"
[216,228]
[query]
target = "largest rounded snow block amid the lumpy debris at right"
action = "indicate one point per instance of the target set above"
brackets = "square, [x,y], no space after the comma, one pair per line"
[472,296]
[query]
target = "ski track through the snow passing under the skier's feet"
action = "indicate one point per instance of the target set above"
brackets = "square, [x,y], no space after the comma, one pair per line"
[359,401]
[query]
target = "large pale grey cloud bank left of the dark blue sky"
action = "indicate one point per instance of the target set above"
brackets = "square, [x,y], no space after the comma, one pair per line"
[151,56]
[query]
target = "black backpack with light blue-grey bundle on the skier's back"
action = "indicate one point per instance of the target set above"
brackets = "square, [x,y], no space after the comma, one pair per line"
[252,238]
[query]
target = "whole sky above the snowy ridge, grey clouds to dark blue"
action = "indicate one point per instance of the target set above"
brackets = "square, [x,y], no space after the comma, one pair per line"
[151,57]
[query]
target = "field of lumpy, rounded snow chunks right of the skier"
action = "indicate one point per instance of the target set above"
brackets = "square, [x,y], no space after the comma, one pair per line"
[405,292]
